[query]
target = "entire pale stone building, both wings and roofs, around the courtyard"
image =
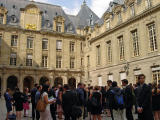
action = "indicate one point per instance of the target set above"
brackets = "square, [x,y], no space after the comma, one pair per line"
[40,41]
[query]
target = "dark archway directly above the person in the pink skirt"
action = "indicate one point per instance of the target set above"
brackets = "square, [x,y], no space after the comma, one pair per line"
[28,83]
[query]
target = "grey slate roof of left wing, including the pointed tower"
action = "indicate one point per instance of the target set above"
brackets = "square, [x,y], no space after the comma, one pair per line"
[49,12]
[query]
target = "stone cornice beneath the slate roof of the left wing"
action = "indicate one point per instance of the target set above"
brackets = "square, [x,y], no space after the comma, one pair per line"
[44,32]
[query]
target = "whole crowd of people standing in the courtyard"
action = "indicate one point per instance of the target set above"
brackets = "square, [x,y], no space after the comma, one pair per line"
[117,102]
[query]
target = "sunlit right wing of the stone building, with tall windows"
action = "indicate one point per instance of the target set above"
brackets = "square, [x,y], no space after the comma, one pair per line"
[125,44]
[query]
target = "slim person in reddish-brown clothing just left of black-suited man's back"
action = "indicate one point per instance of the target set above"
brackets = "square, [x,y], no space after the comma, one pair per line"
[59,102]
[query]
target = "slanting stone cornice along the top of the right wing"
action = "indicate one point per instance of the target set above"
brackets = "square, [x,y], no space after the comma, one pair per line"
[129,21]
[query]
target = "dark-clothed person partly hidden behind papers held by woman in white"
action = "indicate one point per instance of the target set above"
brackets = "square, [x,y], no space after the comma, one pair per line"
[52,106]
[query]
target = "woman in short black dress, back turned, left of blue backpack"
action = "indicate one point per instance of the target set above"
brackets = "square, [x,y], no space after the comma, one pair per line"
[96,104]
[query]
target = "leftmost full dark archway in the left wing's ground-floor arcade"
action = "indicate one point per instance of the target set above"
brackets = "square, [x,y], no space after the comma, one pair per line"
[12,82]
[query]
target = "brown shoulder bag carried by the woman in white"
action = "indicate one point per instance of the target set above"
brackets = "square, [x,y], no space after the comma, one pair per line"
[41,105]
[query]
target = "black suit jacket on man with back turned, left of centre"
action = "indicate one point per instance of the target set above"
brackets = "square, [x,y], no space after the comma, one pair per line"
[69,99]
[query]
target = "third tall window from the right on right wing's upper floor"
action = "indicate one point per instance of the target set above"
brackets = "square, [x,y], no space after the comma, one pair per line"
[121,47]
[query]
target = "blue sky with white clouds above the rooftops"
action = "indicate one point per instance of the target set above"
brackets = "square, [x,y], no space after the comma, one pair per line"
[73,6]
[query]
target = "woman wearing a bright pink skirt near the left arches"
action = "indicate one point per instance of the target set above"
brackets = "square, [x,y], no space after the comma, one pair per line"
[26,102]
